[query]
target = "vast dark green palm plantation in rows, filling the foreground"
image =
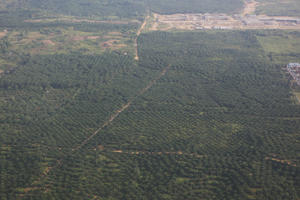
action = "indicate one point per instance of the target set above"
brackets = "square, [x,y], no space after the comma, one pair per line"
[219,123]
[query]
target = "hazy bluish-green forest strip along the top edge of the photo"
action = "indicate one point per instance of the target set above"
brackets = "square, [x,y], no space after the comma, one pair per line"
[118,8]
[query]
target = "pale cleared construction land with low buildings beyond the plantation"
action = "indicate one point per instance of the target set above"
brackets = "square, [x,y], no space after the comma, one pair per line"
[244,20]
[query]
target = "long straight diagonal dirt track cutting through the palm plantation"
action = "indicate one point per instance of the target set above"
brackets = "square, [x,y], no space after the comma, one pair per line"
[59,162]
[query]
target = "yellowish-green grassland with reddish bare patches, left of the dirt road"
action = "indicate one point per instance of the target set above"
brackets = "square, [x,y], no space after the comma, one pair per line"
[65,40]
